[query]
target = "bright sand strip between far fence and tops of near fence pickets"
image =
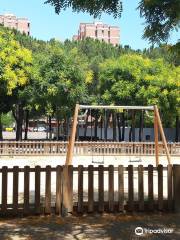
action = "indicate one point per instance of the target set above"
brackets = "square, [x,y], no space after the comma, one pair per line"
[43,161]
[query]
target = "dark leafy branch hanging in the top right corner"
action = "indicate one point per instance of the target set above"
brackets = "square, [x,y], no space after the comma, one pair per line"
[162,16]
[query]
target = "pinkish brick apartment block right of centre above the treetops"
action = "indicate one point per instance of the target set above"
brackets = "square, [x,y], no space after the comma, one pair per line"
[100,31]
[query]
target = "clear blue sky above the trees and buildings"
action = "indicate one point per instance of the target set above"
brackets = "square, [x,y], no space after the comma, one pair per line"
[45,24]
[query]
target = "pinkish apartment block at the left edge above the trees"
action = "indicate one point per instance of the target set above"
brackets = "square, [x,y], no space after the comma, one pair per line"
[11,21]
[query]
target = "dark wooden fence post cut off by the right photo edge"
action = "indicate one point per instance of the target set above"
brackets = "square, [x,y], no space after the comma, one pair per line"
[176,187]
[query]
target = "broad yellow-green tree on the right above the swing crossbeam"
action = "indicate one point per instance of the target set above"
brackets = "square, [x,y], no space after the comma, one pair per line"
[135,80]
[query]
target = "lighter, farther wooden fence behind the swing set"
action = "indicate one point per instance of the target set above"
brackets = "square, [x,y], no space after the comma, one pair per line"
[37,148]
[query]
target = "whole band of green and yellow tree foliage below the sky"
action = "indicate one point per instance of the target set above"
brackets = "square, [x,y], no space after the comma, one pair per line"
[46,79]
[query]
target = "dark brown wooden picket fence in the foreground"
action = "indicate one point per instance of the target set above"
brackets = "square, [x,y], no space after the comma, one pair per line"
[67,198]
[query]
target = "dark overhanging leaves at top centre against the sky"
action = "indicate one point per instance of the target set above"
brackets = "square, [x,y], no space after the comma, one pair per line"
[95,7]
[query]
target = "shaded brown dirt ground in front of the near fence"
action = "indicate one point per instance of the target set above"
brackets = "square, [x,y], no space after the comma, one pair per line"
[96,227]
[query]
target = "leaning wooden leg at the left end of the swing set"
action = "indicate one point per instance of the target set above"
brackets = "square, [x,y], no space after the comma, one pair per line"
[69,155]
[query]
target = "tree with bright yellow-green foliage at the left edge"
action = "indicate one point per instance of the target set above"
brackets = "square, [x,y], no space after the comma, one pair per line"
[15,68]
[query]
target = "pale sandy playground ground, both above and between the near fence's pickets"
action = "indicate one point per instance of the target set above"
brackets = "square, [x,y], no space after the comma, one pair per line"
[84,160]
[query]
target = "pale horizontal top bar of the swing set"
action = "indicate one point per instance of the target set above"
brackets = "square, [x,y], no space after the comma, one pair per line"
[117,107]
